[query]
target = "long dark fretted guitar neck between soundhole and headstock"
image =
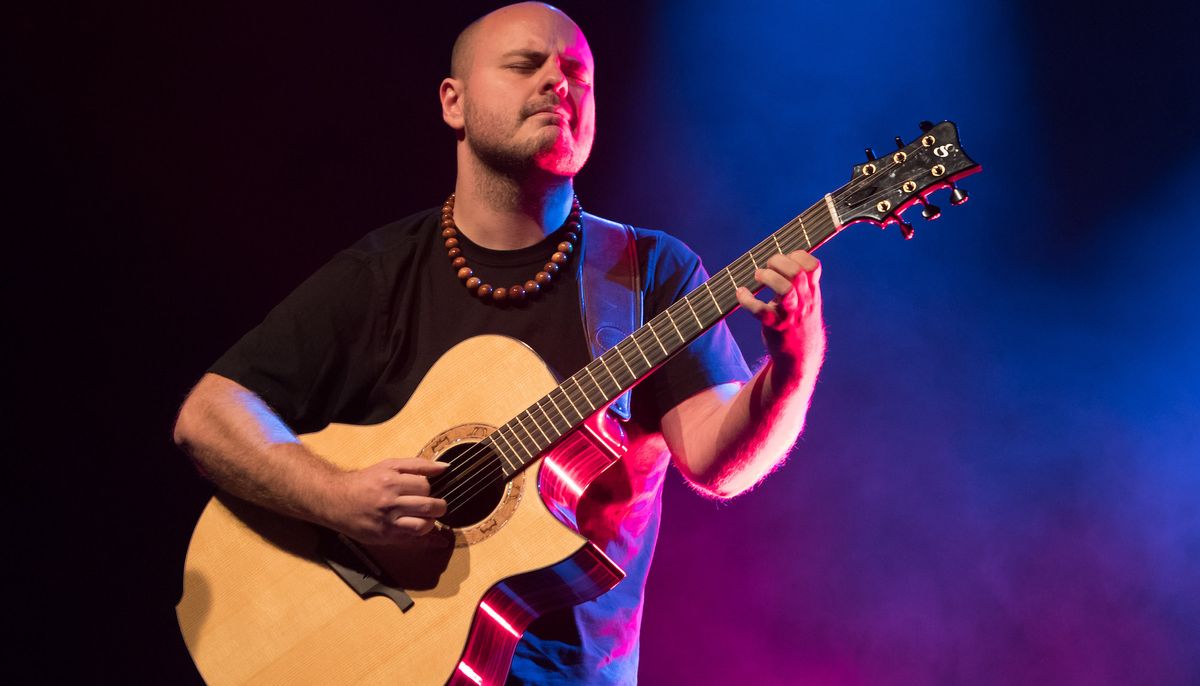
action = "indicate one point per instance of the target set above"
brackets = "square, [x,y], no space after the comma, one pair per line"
[532,432]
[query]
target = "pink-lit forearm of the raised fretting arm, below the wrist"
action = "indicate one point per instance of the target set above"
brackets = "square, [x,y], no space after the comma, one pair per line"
[733,443]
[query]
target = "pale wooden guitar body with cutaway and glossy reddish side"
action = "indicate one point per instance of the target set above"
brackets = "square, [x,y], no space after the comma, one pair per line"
[261,605]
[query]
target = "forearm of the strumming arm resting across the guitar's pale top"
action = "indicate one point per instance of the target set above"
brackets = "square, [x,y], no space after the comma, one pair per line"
[245,449]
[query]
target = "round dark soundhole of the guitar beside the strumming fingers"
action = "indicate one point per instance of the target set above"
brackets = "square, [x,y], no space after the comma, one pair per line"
[472,488]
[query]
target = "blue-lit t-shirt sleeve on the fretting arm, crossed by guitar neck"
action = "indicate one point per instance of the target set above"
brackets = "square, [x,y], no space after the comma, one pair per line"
[673,272]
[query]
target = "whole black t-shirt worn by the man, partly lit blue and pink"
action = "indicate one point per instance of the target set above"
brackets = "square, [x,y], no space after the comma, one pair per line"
[352,344]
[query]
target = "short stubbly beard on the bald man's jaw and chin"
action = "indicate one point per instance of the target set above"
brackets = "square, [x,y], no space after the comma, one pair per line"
[496,141]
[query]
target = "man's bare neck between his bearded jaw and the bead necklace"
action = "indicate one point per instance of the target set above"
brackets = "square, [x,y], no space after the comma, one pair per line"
[503,212]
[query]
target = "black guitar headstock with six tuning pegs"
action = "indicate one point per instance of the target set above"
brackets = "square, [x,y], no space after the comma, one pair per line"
[883,189]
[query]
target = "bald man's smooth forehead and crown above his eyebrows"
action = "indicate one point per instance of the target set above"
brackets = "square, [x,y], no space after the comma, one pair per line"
[532,31]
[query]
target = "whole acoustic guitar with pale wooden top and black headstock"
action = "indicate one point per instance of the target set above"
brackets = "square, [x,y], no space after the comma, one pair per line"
[273,600]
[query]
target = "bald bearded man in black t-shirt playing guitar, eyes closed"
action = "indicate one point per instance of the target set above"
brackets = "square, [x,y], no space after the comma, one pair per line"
[352,344]
